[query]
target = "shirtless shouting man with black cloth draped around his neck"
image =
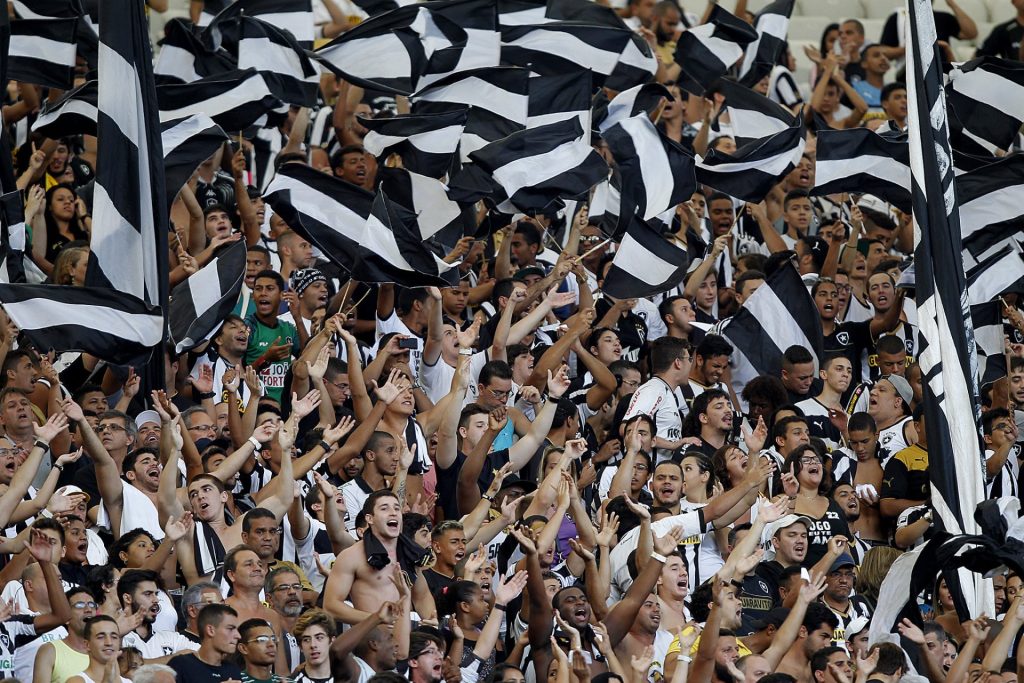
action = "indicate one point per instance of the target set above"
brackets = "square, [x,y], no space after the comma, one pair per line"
[353,578]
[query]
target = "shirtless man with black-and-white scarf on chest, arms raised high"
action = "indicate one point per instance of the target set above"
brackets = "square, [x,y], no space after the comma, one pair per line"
[208,498]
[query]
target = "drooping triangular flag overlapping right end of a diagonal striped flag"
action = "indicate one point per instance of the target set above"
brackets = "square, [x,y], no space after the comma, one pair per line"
[392,250]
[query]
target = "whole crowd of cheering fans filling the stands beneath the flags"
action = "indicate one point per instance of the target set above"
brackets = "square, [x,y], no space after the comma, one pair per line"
[514,479]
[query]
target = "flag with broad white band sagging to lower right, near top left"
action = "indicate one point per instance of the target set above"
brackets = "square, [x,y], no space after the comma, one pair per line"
[292,76]
